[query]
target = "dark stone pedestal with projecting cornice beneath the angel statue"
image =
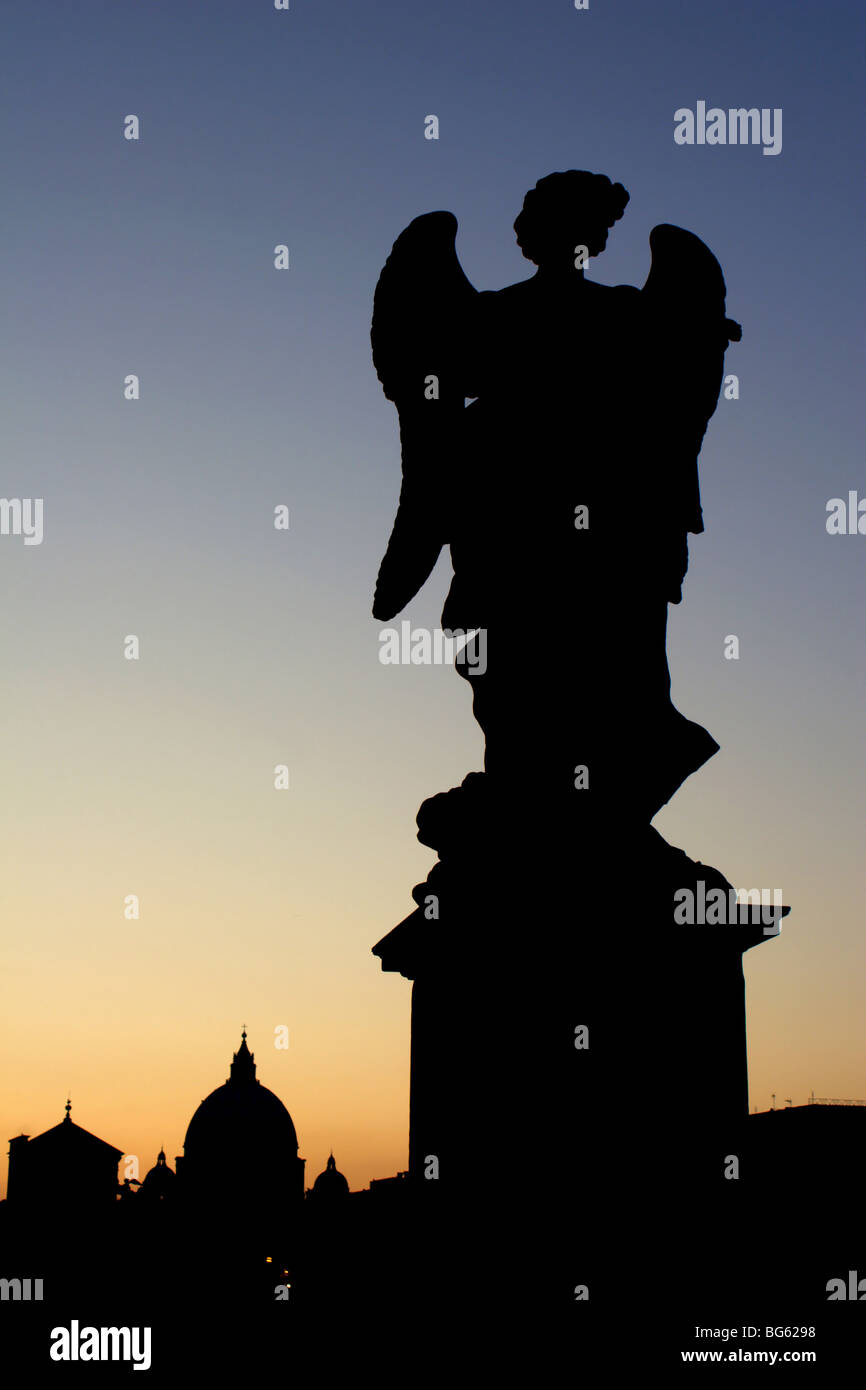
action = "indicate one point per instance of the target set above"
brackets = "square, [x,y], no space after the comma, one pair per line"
[579,1057]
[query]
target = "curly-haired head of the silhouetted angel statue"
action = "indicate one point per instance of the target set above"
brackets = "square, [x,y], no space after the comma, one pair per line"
[569,211]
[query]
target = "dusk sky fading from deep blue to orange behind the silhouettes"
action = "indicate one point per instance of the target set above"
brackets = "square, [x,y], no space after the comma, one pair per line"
[258,647]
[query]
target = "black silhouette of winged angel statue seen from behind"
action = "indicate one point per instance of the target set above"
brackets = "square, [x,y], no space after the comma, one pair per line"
[566,487]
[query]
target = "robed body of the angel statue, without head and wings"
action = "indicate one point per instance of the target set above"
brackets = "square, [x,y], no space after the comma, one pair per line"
[568,509]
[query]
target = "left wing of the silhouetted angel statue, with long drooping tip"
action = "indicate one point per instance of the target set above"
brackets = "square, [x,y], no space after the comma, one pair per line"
[420,315]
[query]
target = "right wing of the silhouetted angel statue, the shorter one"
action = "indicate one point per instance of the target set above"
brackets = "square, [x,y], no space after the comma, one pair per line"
[685,298]
